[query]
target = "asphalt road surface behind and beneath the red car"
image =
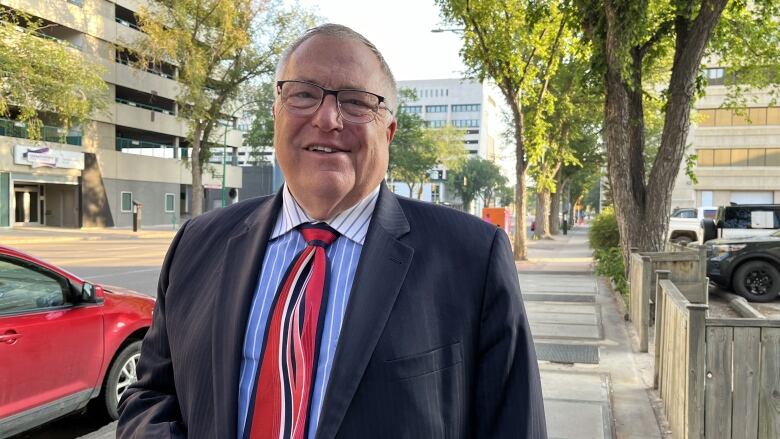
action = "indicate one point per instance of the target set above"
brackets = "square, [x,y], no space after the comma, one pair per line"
[128,263]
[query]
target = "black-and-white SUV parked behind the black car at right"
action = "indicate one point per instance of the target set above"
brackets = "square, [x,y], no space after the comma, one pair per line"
[742,220]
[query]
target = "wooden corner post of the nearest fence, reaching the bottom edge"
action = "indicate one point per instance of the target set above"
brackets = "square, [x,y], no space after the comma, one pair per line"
[697,344]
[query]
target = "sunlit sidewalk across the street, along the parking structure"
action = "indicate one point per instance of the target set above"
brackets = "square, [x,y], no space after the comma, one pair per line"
[43,235]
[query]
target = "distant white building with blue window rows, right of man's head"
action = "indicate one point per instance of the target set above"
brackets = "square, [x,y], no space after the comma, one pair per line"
[463,103]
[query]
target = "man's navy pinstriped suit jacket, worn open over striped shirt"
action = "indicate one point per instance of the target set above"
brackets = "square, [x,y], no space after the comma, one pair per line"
[434,344]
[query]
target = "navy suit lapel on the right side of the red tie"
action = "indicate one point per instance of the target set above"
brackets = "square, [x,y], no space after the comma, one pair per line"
[383,264]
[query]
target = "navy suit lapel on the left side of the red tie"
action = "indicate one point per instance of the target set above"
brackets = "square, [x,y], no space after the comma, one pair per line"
[244,257]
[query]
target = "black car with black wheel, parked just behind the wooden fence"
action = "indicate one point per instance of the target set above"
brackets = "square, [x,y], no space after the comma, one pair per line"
[750,266]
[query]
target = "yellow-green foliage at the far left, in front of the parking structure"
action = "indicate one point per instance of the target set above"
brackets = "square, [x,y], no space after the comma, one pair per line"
[45,78]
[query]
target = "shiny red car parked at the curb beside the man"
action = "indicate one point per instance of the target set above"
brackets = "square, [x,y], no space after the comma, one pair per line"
[63,342]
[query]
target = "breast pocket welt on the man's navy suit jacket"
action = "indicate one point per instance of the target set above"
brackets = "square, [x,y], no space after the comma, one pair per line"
[420,364]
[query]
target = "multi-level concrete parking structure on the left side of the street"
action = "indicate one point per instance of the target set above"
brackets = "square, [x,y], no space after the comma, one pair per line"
[135,151]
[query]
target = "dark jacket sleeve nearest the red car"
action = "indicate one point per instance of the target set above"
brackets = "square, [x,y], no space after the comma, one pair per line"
[150,407]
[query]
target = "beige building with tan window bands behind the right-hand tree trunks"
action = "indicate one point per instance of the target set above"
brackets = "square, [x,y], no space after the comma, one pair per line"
[738,151]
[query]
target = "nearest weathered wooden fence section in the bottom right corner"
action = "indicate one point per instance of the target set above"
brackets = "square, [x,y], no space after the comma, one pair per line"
[718,378]
